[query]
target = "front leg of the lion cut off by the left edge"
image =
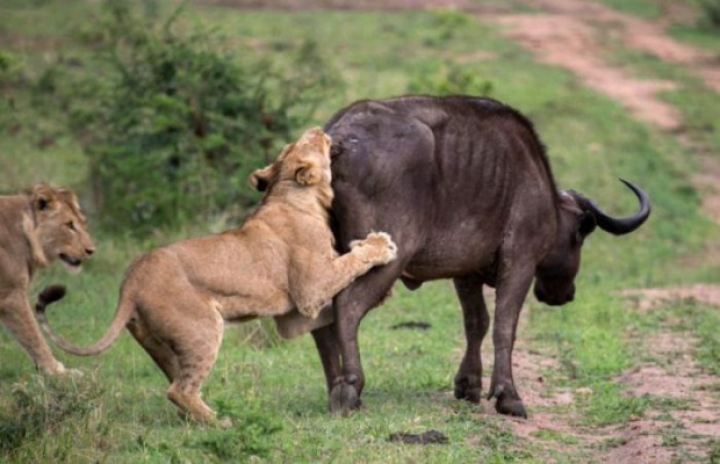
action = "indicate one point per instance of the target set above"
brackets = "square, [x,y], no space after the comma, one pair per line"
[16,314]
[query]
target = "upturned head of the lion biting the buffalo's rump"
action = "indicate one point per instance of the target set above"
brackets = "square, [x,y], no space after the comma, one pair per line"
[305,162]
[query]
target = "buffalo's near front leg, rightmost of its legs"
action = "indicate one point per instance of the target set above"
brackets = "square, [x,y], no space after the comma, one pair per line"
[511,293]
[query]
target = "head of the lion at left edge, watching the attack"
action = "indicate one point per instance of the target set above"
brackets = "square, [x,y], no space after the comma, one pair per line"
[56,228]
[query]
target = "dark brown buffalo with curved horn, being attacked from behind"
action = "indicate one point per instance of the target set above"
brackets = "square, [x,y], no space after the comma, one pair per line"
[464,187]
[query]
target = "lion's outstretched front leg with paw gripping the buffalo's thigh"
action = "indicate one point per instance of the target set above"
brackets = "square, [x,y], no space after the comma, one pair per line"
[312,291]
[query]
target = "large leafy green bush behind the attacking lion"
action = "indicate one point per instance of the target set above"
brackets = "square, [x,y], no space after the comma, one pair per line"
[171,126]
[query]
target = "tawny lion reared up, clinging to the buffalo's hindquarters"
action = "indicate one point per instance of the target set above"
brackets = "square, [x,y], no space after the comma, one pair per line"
[175,300]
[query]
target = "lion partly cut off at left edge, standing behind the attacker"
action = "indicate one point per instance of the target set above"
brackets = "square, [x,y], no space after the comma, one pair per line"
[37,227]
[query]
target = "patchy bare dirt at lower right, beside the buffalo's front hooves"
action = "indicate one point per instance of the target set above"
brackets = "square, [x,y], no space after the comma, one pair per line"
[668,374]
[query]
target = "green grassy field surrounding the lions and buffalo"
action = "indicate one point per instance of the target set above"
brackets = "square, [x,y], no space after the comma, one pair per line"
[118,412]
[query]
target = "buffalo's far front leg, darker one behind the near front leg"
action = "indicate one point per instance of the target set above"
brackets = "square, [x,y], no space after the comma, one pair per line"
[468,381]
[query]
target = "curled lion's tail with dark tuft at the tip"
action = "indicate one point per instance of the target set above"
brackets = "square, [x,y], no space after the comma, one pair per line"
[55,293]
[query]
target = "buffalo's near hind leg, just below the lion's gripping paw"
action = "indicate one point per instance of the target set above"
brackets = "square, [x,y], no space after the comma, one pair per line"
[351,305]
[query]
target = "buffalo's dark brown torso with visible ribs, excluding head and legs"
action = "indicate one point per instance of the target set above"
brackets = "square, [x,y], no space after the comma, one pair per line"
[442,175]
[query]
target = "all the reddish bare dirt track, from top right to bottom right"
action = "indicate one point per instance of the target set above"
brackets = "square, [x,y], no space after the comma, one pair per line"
[574,34]
